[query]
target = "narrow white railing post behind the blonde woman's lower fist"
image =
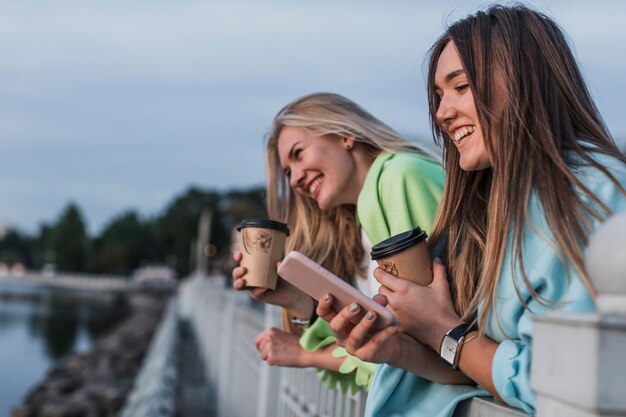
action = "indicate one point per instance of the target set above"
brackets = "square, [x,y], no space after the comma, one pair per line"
[269,376]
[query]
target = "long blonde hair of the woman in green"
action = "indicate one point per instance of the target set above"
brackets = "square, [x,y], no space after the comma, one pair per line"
[331,237]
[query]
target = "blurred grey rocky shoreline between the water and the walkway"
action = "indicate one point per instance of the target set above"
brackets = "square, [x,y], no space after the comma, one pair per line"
[96,383]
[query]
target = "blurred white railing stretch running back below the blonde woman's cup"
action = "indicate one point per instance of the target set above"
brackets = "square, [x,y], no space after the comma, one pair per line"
[240,384]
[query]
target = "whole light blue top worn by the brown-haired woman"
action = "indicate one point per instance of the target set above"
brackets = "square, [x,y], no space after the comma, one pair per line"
[396,392]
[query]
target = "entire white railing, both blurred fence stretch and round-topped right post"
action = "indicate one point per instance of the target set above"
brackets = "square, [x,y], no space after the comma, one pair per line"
[579,367]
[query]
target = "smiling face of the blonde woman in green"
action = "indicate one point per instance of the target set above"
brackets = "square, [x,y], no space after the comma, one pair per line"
[319,167]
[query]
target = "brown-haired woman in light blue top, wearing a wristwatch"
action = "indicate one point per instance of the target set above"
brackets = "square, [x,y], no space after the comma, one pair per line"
[531,172]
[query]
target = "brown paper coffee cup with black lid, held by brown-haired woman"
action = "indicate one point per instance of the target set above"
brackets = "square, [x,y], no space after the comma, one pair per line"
[406,256]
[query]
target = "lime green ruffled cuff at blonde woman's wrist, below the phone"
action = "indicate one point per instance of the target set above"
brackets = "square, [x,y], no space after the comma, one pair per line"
[353,373]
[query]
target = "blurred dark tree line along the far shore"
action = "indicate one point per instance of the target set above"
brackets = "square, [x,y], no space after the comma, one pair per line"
[129,241]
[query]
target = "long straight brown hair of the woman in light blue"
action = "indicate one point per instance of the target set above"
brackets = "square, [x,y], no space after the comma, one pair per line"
[548,125]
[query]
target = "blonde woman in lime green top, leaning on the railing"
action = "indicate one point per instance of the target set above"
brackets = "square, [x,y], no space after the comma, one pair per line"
[332,166]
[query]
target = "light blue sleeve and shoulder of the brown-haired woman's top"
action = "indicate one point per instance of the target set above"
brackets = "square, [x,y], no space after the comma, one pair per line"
[553,281]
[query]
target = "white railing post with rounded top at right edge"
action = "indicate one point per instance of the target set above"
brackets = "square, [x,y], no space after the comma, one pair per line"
[579,360]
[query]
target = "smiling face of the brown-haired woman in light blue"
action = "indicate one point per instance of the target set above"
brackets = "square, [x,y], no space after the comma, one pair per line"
[457,113]
